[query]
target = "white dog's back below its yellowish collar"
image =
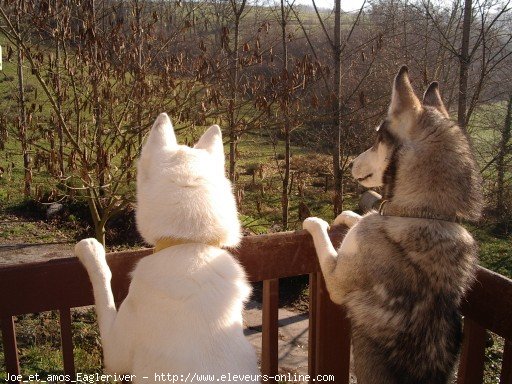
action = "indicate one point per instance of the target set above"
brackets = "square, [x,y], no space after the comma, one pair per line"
[188,303]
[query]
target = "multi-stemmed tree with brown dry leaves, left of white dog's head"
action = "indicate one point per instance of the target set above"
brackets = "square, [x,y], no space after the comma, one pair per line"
[96,111]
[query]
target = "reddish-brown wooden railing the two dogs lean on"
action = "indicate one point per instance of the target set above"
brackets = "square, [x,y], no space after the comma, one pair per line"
[63,284]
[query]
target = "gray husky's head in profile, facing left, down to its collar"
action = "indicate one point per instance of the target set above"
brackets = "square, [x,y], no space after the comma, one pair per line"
[421,158]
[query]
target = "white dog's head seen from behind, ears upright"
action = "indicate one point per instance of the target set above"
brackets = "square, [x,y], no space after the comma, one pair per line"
[182,192]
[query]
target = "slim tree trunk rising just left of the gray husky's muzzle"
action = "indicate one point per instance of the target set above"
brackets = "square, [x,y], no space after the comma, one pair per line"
[338,196]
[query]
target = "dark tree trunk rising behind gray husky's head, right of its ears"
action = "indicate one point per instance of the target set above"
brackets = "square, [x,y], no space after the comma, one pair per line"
[464,61]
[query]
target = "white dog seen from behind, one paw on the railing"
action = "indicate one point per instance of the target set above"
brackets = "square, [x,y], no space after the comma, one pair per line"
[183,312]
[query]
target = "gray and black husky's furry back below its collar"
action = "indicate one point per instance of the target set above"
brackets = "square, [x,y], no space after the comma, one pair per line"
[406,324]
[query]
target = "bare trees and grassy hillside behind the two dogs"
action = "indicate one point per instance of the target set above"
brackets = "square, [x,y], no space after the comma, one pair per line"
[297,91]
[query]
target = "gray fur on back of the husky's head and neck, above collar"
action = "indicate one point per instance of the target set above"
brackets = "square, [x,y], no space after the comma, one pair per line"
[437,170]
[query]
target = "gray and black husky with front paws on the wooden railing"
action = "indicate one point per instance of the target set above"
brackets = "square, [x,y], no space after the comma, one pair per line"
[401,272]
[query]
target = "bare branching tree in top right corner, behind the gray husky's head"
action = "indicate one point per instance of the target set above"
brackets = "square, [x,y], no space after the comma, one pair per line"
[481,47]
